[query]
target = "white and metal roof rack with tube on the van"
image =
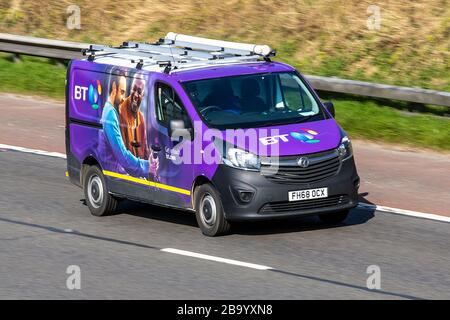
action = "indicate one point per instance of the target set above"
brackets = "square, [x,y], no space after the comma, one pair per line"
[178,51]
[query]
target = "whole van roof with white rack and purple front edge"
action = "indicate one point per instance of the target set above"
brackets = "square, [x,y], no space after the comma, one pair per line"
[189,58]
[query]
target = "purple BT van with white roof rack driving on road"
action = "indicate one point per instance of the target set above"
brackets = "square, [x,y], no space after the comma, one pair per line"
[208,126]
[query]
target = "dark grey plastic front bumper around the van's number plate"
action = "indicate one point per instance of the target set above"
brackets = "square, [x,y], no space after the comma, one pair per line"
[270,199]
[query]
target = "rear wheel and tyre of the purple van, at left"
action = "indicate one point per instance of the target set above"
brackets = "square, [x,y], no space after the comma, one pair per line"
[99,201]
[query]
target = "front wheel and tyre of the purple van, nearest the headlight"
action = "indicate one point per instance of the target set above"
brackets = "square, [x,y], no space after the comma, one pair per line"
[209,211]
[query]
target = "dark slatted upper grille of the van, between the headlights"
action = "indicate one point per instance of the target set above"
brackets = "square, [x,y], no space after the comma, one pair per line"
[321,166]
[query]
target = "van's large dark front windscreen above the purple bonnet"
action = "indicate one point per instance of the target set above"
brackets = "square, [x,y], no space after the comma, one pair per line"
[254,100]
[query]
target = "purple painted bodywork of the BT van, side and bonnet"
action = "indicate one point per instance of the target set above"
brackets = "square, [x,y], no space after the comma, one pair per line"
[85,141]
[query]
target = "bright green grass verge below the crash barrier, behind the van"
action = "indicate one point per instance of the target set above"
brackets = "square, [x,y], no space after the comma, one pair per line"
[371,119]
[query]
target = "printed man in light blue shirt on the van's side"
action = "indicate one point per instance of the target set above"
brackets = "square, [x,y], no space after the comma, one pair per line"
[111,146]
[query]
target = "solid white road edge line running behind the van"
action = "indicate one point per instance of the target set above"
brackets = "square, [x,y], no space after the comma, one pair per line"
[361,205]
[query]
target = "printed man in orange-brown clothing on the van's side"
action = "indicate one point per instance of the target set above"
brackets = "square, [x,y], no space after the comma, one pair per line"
[132,121]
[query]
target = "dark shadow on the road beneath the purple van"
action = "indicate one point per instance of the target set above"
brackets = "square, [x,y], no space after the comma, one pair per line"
[289,225]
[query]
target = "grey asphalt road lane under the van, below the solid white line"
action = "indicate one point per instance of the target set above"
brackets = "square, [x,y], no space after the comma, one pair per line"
[46,227]
